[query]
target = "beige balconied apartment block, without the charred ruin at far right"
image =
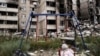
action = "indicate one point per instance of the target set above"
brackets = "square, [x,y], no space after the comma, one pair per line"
[15,13]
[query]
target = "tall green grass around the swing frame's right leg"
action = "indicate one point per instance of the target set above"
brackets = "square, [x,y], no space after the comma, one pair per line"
[93,44]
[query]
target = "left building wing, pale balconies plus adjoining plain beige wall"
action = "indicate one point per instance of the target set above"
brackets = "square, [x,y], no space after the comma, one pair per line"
[14,15]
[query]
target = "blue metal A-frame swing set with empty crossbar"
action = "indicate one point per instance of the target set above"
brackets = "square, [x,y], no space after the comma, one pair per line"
[71,14]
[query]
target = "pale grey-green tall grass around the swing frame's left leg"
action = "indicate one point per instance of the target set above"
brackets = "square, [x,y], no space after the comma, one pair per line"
[7,48]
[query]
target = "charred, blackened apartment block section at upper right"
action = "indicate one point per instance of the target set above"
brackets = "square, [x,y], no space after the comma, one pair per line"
[88,11]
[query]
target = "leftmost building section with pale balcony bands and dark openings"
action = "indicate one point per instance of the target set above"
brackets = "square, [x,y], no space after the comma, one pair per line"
[8,16]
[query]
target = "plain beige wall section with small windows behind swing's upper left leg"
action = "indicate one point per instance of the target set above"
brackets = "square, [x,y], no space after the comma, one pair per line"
[26,7]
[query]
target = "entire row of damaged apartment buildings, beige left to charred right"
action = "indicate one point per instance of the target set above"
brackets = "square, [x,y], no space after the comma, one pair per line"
[15,13]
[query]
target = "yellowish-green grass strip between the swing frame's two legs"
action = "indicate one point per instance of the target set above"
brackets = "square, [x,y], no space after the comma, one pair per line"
[46,45]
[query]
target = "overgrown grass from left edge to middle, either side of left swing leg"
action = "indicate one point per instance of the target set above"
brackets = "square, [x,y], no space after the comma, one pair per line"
[8,45]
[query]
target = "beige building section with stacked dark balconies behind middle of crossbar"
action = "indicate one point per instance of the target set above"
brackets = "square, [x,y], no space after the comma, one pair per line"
[48,23]
